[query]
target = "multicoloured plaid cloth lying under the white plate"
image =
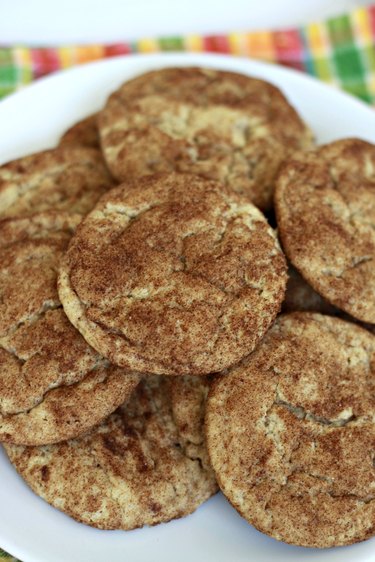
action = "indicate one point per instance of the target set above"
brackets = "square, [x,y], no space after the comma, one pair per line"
[340,51]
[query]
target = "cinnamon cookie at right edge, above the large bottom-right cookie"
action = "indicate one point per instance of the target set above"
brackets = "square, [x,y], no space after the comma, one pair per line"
[325,207]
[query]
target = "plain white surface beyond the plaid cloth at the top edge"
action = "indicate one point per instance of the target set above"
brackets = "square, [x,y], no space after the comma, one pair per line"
[42,22]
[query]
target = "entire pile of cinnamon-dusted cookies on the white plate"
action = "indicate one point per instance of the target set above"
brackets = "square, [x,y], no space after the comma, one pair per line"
[142,359]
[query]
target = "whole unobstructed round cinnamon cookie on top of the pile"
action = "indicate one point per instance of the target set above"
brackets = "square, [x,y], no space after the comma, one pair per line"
[173,275]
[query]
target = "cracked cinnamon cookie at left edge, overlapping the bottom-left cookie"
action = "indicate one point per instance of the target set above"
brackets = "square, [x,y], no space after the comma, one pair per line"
[53,386]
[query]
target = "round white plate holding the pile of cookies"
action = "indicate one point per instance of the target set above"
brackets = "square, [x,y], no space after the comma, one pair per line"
[32,120]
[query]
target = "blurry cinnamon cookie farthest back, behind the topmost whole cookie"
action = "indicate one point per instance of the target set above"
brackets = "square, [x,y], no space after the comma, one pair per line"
[221,125]
